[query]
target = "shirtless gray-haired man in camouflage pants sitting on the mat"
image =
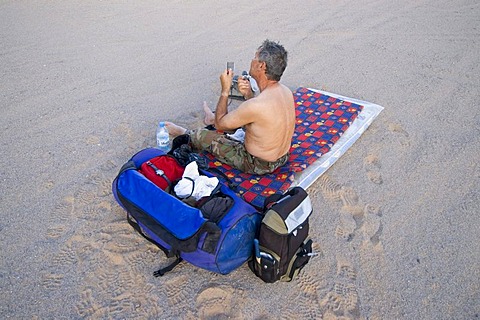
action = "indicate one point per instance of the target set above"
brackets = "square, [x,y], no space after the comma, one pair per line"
[268,119]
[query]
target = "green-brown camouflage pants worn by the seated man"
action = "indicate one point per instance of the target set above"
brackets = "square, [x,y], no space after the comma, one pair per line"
[232,152]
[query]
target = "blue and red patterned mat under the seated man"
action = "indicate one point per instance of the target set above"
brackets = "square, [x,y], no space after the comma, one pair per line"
[321,120]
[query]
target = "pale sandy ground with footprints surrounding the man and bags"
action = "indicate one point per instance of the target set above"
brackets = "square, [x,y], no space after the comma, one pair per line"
[83,84]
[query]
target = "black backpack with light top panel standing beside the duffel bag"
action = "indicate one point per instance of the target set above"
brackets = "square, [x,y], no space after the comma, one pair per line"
[283,247]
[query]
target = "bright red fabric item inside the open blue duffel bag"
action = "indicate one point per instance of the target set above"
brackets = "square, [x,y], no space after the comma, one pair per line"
[172,169]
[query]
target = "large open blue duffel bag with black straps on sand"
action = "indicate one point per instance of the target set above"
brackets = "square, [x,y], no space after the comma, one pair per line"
[216,235]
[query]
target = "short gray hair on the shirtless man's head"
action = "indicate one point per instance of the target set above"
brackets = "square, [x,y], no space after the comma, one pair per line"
[275,57]
